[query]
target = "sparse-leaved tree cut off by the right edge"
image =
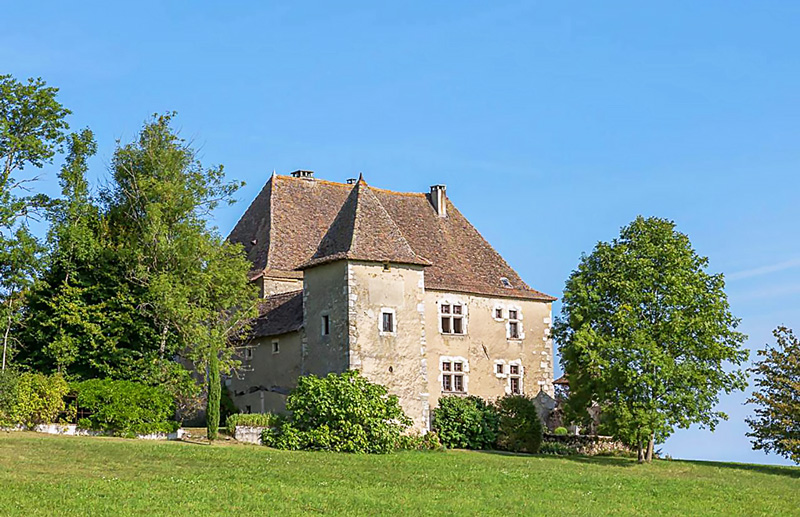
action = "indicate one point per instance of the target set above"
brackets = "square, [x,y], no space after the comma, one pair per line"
[776,426]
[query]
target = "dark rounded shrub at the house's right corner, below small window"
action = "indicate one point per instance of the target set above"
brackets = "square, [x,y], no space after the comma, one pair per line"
[520,429]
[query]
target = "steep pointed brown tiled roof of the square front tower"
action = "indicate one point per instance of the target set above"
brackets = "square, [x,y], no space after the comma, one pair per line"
[363,230]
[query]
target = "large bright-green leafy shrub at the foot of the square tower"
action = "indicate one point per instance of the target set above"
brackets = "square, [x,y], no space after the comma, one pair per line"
[340,412]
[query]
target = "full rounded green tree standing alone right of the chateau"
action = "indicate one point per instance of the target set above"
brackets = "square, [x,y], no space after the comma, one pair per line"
[646,333]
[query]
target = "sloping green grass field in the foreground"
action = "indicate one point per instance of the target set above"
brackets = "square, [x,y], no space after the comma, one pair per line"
[59,475]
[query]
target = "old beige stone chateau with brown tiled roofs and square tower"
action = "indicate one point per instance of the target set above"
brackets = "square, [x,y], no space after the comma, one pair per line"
[397,285]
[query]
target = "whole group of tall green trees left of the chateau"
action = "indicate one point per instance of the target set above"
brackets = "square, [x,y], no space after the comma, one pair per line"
[131,281]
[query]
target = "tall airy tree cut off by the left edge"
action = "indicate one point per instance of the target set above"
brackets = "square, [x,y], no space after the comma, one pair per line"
[32,128]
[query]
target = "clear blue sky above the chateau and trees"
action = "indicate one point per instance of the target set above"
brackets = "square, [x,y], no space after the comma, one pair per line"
[553,124]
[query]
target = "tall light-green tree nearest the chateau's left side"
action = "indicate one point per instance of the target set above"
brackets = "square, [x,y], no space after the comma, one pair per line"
[196,289]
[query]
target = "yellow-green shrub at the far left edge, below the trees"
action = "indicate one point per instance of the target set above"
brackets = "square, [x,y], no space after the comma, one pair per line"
[29,398]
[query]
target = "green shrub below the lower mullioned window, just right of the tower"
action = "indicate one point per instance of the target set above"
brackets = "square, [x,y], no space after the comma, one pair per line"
[465,422]
